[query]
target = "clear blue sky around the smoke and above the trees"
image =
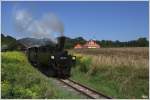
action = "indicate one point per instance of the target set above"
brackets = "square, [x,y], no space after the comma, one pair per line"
[122,21]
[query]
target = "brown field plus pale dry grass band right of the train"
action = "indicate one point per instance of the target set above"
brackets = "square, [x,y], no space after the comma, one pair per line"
[137,57]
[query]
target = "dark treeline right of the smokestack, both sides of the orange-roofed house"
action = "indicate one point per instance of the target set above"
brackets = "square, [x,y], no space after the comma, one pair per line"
[140,42]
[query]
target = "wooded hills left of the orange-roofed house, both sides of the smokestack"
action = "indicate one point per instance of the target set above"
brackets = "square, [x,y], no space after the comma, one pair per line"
[11,43]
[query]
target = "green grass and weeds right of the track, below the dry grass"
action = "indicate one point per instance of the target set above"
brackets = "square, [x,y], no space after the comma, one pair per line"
[113,80]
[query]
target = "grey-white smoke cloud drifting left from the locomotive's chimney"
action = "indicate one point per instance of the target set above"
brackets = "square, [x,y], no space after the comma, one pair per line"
[45,27]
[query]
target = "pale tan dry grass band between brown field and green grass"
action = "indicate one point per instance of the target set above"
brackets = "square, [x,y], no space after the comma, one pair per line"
[119,61]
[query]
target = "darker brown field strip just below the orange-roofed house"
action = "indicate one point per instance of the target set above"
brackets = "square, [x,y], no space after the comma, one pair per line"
[136,51]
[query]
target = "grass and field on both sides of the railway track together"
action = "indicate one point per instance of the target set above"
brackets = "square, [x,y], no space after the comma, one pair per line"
[117,72]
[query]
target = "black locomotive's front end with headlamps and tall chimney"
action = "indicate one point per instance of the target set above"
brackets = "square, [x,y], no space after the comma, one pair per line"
[61,61]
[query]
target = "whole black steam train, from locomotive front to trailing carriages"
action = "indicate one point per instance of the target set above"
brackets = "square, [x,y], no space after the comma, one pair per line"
[52,60]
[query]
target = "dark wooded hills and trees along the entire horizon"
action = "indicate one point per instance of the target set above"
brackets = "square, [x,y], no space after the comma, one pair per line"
[10,43]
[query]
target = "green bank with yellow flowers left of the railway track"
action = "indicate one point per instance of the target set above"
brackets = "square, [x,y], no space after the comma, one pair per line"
[20,80]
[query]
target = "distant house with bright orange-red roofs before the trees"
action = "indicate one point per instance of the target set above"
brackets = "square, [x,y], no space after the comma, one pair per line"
[89,44]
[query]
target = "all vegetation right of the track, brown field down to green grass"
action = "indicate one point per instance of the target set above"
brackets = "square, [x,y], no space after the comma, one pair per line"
[118,72]
